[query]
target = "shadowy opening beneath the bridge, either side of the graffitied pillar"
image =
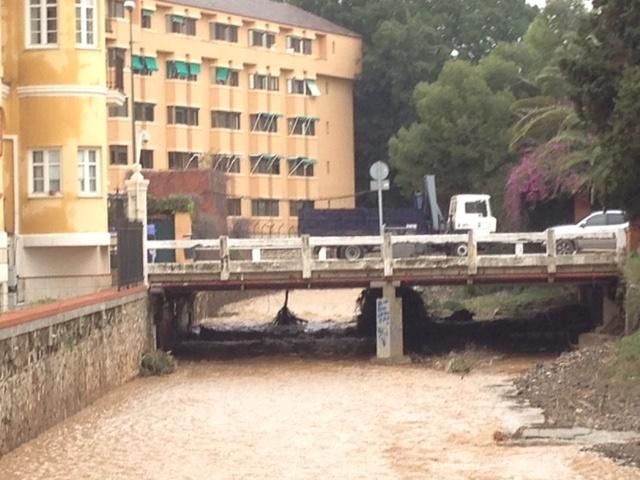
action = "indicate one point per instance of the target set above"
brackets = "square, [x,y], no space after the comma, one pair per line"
[427,330]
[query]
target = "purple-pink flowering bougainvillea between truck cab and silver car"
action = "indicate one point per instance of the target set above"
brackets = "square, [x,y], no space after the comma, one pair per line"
[538,177]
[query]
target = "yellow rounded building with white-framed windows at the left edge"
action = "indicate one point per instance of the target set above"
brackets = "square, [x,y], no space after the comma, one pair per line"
[54,146]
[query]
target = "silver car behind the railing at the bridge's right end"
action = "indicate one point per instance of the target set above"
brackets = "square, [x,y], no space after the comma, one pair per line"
[609,221]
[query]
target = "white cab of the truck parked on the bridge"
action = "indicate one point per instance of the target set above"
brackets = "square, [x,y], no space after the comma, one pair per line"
[471,212]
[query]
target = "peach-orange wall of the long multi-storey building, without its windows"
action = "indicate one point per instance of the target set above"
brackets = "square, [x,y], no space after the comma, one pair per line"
[335,63]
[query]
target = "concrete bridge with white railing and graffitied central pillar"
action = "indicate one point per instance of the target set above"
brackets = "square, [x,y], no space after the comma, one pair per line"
[310,262]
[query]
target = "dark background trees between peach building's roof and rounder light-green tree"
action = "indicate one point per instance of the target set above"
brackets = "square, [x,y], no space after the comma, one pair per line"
[407,42]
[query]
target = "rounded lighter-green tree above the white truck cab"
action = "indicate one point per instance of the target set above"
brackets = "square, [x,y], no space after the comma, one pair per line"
[462,133]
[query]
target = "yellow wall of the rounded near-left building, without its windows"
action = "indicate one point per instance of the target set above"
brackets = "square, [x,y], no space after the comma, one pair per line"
[41,115]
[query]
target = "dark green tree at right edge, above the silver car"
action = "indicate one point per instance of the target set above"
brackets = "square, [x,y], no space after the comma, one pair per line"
[604,74]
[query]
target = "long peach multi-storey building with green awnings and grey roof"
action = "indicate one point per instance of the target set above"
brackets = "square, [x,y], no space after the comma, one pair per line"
[260,90]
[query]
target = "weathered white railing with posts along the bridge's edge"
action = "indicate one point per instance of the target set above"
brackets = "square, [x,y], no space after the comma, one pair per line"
[310,254]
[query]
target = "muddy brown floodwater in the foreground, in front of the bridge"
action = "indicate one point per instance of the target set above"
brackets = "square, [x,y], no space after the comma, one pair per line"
[287,418]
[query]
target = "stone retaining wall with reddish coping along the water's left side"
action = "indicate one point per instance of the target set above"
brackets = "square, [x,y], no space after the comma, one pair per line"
[57,359]
